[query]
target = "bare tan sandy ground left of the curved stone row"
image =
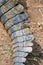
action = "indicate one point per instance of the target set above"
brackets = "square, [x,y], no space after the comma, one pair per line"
[5,41]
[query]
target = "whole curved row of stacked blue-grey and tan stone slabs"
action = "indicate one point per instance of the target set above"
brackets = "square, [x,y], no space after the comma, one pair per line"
[15,20]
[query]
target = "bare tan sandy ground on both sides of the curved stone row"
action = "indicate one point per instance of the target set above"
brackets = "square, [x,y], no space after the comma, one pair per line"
[35,11]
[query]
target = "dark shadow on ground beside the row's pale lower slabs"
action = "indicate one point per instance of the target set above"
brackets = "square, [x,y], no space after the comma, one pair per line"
[36,57]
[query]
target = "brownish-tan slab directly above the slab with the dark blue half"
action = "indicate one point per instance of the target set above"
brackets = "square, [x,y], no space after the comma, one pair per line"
[13,12]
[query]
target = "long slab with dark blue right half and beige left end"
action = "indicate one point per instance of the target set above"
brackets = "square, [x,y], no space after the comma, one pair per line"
[15,20]
